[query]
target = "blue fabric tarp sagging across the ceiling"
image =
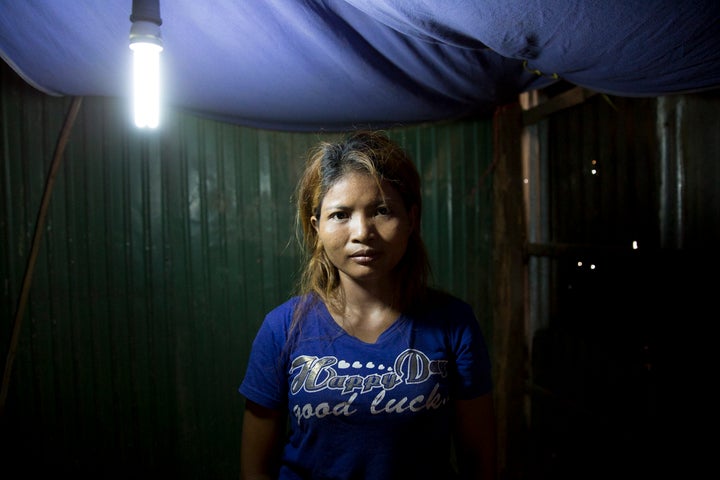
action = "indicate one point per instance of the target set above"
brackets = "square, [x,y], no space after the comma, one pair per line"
[303,65]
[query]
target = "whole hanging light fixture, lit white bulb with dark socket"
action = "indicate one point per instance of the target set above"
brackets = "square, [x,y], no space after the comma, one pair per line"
[146,45]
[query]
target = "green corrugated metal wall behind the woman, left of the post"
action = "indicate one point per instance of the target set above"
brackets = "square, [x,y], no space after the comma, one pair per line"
[160,255]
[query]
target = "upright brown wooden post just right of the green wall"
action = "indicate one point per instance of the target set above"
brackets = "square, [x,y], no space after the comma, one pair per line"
[509,339]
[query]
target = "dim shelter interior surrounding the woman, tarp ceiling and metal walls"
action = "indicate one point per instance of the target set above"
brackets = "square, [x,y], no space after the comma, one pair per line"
[569,157]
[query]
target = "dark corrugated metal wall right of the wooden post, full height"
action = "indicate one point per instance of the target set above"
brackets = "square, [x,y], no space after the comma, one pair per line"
[623,330]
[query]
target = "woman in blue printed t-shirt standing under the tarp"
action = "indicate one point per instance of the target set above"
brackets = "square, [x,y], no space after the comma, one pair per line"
[367,373]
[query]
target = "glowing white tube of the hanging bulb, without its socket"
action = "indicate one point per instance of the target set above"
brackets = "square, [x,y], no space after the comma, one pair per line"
[146,83]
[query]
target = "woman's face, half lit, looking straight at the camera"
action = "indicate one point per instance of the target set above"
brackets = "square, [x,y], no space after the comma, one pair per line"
[363,232]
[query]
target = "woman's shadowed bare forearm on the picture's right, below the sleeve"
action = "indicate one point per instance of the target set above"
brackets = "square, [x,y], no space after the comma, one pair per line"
[475,438]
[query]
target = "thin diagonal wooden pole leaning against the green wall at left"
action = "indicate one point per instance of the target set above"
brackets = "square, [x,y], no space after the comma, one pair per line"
[39,228]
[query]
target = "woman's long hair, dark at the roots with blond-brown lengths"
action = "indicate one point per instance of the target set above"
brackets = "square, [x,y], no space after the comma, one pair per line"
[374,154]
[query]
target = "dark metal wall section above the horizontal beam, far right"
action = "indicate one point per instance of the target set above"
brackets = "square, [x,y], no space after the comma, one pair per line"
[636,169]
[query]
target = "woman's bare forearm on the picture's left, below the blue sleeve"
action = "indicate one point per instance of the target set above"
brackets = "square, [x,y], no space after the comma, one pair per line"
[261,442]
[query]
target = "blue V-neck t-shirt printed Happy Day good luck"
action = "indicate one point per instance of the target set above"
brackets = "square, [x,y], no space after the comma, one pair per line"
[368,411]
